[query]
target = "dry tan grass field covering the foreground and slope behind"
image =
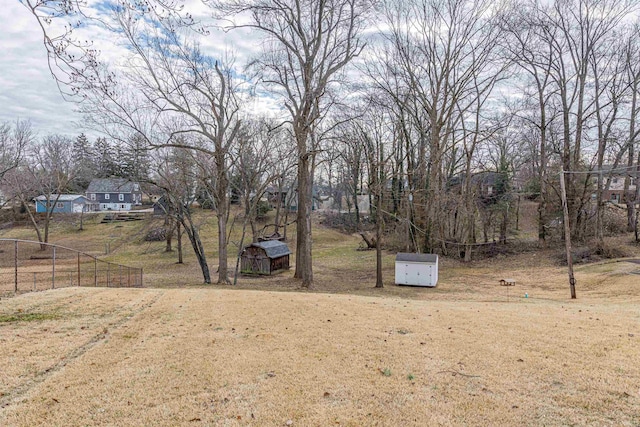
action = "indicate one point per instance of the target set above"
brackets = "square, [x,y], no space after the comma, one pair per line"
[266,353]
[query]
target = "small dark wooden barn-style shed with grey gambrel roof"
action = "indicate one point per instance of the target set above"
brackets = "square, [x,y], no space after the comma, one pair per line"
[266,257]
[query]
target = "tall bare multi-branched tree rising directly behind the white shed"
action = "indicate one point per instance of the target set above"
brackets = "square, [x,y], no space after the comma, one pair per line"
[446,73]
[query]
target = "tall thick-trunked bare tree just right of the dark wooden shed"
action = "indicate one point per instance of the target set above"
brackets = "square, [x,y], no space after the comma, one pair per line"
[309,43]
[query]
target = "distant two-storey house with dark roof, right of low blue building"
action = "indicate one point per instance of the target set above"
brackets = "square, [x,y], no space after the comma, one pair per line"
[114,194]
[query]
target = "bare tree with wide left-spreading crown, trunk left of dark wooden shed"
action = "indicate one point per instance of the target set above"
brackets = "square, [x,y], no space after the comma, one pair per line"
[167,90]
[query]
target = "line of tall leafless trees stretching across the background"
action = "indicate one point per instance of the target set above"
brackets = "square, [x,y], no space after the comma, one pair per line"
[421,104]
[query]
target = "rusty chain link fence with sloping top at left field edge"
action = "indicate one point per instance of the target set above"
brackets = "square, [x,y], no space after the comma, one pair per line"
[27,266]
